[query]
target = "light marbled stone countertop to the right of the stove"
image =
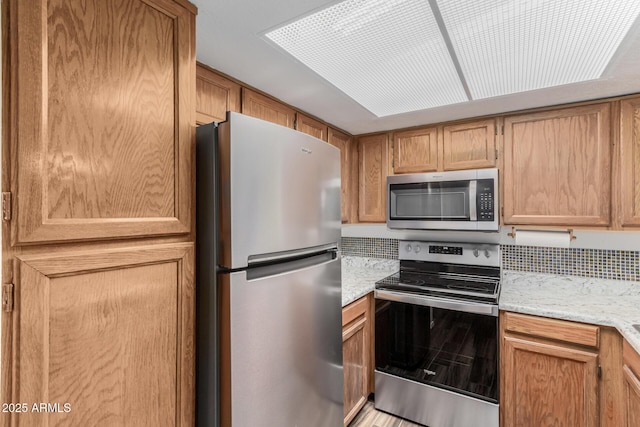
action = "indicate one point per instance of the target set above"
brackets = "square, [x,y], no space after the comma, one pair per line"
[597,301]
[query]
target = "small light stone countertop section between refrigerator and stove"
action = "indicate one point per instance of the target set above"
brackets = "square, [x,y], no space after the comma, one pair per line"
[360,274]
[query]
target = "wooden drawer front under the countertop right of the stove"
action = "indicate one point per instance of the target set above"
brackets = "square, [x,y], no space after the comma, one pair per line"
[553,329]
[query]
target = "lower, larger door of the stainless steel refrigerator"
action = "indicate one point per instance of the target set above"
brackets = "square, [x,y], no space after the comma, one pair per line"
[281,341]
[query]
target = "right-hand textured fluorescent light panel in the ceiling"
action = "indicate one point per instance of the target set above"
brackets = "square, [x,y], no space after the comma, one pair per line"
[507,46]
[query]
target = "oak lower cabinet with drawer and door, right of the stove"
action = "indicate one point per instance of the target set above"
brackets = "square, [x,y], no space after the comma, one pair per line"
[548,378]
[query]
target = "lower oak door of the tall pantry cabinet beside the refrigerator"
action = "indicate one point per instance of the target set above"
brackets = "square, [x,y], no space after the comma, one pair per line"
[108,332]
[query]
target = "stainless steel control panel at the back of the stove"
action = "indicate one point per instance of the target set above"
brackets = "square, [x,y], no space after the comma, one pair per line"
[487,254]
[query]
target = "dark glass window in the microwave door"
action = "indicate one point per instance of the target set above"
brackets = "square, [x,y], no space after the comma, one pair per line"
[432,201]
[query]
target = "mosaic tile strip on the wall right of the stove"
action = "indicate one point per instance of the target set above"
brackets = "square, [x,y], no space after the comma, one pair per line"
[596,263]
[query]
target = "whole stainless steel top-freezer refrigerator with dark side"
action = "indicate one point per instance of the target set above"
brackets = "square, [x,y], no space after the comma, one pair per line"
[269,337]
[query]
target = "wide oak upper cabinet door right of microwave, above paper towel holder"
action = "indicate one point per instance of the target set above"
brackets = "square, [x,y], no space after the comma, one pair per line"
[557,167]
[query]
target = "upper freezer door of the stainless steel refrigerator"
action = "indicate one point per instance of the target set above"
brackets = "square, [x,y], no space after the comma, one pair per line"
[280,190]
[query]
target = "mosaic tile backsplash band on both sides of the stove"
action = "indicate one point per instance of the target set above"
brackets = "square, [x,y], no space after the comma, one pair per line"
[596,263]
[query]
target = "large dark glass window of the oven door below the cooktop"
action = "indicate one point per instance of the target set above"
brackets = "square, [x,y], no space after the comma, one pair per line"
[443,348]
